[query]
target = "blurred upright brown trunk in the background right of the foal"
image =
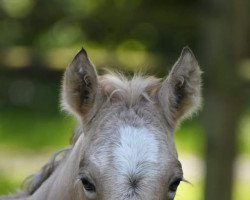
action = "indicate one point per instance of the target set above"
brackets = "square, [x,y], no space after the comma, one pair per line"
[225,29]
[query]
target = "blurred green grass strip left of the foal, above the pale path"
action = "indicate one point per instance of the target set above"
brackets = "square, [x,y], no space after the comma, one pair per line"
[32,130]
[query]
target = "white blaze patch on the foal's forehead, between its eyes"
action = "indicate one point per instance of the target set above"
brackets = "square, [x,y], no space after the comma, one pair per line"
[137,152]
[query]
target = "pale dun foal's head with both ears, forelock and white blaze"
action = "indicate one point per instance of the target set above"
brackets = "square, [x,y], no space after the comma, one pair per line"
[128,150]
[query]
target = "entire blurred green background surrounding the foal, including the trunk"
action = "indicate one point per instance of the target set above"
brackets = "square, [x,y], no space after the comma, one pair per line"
[38,38]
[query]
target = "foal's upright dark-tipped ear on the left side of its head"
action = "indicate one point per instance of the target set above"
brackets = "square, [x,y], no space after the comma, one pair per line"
[79,85]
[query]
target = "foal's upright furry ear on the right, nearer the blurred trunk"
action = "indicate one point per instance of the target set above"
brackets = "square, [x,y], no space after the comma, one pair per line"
[180,93]
